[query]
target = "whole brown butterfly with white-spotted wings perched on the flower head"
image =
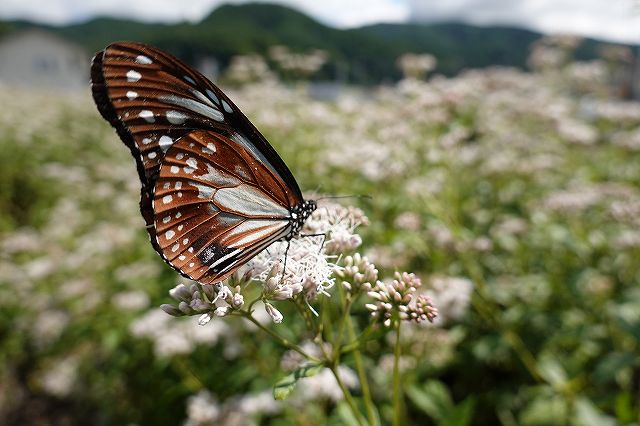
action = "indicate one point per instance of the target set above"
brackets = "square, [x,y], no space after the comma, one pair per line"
[214,192]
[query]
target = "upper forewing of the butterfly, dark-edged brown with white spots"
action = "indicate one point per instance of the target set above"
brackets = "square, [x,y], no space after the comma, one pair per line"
[154,100]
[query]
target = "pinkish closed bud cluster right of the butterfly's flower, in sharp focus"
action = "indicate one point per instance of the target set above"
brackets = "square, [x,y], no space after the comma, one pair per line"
[398,297]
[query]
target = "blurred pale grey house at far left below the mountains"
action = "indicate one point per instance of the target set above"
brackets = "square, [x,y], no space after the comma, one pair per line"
[38,58]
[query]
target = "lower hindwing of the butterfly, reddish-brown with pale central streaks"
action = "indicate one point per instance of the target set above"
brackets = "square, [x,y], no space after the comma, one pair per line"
[216,206]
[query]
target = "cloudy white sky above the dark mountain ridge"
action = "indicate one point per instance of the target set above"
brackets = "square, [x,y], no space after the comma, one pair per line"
[616,20]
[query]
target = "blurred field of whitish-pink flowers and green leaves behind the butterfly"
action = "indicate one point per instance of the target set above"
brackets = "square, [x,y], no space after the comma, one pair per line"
[513,193]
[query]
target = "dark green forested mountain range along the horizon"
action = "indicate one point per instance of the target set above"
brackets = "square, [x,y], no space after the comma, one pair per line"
[363,55]
